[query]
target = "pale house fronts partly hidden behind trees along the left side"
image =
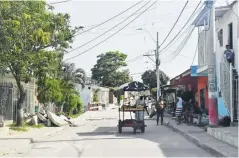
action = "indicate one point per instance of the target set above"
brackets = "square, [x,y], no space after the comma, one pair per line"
[9,96]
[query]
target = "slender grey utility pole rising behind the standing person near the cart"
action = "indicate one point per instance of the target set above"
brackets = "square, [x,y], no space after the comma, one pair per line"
[157,68]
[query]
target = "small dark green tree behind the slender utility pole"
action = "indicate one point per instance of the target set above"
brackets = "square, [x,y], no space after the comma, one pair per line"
[149,78]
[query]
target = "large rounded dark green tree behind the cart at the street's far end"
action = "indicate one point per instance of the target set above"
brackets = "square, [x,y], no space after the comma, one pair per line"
[105,71]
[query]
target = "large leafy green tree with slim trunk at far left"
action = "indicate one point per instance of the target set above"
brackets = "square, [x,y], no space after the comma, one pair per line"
[30,31]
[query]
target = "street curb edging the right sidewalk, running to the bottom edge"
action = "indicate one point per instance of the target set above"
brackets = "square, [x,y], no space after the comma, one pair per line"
[196,141]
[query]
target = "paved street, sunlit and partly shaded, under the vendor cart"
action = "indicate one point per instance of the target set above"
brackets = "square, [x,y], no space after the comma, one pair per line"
[98,137]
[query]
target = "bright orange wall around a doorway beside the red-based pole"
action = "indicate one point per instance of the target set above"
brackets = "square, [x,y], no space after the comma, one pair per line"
[202,83]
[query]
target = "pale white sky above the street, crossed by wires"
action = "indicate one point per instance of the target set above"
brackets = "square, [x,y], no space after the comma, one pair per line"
[132,41]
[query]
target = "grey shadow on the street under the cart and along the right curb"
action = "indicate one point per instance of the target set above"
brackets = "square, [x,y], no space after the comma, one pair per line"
[169,142]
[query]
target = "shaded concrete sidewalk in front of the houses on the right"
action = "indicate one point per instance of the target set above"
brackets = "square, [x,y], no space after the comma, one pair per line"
[199,137]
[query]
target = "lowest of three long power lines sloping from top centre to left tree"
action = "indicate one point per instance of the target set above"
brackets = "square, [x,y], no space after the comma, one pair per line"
[112,34]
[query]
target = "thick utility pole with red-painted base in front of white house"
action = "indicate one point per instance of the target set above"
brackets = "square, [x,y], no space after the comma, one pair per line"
[212,88]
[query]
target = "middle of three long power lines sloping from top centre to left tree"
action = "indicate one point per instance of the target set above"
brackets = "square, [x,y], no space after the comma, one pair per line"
[108,30]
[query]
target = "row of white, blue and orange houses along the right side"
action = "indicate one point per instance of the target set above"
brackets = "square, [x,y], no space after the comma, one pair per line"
[227,33]
